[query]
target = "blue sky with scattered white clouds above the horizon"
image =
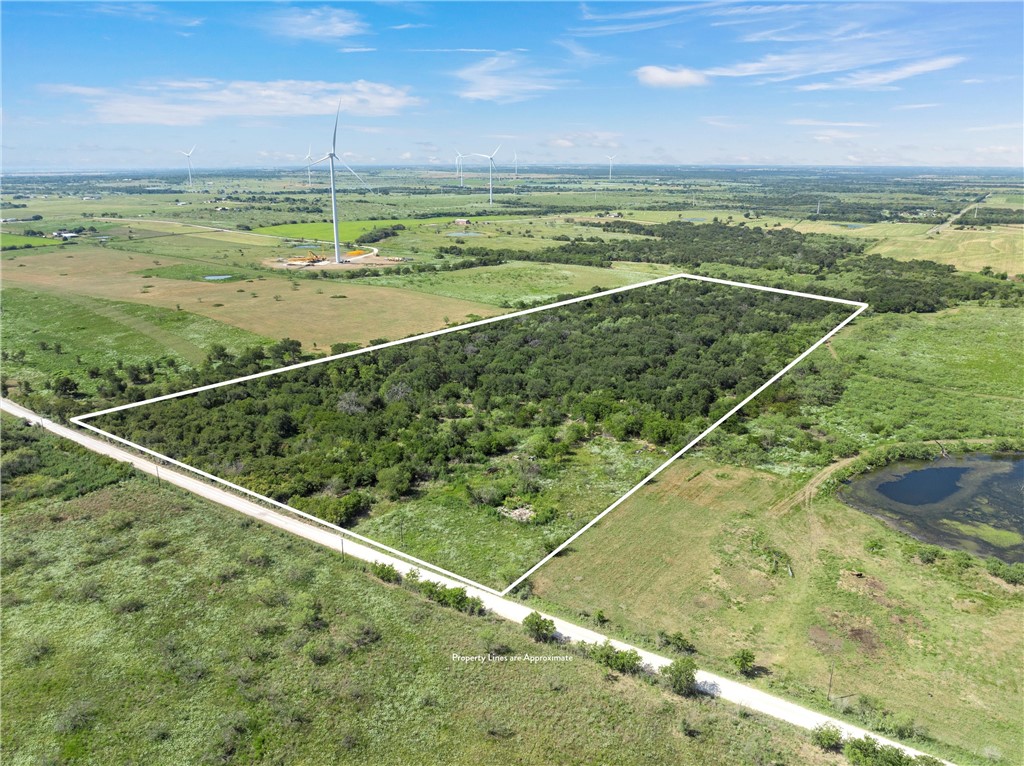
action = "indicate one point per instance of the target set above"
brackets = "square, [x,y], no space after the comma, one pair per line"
[93,87]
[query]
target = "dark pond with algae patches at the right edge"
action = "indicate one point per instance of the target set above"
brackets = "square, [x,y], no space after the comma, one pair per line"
[971,502]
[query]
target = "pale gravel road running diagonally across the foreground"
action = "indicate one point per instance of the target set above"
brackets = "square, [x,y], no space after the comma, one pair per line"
[717,687]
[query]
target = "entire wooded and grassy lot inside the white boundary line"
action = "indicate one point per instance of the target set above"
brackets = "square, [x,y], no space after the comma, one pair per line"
[487,428]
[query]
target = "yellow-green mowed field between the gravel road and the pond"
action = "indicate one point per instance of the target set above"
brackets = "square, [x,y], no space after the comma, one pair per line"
[687,555]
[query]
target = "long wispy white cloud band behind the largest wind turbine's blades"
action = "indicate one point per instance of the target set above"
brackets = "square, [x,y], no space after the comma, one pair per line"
[201,101]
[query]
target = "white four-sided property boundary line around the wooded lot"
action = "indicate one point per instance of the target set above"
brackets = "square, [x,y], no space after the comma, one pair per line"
[860,309]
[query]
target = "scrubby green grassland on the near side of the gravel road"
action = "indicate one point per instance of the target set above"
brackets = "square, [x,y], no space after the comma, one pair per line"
[142,624]
